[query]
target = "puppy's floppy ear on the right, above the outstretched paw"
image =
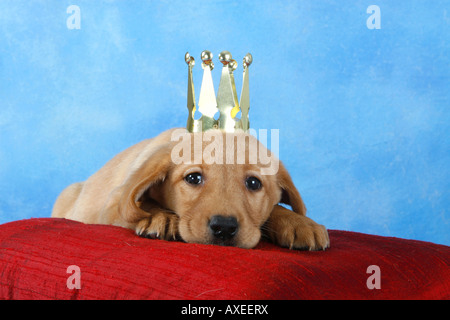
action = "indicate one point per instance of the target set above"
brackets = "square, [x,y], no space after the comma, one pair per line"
[289,193]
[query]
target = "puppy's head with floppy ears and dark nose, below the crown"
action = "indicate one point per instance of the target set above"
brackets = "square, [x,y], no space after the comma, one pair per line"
[223,186]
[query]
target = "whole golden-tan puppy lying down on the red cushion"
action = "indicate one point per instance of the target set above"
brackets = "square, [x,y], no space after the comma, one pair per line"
[225,198]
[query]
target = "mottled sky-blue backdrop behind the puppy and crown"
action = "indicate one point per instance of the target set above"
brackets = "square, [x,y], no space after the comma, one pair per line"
[363,114]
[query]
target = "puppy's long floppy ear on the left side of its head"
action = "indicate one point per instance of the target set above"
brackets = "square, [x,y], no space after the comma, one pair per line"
[153,171]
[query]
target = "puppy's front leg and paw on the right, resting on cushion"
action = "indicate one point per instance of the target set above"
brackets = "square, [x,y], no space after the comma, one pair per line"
[295,231]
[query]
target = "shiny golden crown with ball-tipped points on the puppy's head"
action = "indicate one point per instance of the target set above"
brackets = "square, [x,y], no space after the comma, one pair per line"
[226,103]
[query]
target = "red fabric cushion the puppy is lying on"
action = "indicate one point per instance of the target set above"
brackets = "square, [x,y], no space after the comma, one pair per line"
[116,264]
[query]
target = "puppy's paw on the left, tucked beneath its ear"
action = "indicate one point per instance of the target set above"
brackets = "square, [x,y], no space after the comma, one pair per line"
[160,225]
